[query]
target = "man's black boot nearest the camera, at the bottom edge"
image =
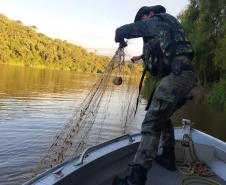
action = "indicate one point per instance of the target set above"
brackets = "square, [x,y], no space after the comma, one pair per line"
[134,175]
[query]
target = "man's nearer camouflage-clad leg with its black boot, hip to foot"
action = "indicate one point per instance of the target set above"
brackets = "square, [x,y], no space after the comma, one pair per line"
[171,89]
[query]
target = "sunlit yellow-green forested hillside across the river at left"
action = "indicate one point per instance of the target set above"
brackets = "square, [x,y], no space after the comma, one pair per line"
[23,45]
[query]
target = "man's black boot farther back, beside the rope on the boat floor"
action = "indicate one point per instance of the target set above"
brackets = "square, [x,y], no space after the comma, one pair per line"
[167,159]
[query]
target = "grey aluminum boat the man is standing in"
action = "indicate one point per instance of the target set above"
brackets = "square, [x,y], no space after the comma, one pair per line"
[98,165]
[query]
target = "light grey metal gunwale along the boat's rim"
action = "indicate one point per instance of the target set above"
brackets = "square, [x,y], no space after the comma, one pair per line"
[76,161]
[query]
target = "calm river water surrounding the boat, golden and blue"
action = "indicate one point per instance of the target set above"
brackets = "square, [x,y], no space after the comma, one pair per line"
[36,103]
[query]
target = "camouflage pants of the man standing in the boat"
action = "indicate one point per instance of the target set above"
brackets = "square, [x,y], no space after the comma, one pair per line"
[171,90]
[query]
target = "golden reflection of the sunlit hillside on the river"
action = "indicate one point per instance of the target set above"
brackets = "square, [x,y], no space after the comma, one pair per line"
[24,81]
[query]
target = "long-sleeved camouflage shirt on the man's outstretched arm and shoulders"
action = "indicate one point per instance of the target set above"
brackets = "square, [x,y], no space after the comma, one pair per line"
[165,28]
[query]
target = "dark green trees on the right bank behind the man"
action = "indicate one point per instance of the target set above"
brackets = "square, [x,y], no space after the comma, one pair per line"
[205,23]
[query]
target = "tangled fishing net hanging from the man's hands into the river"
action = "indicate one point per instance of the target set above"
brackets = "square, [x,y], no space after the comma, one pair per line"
[72,139]
